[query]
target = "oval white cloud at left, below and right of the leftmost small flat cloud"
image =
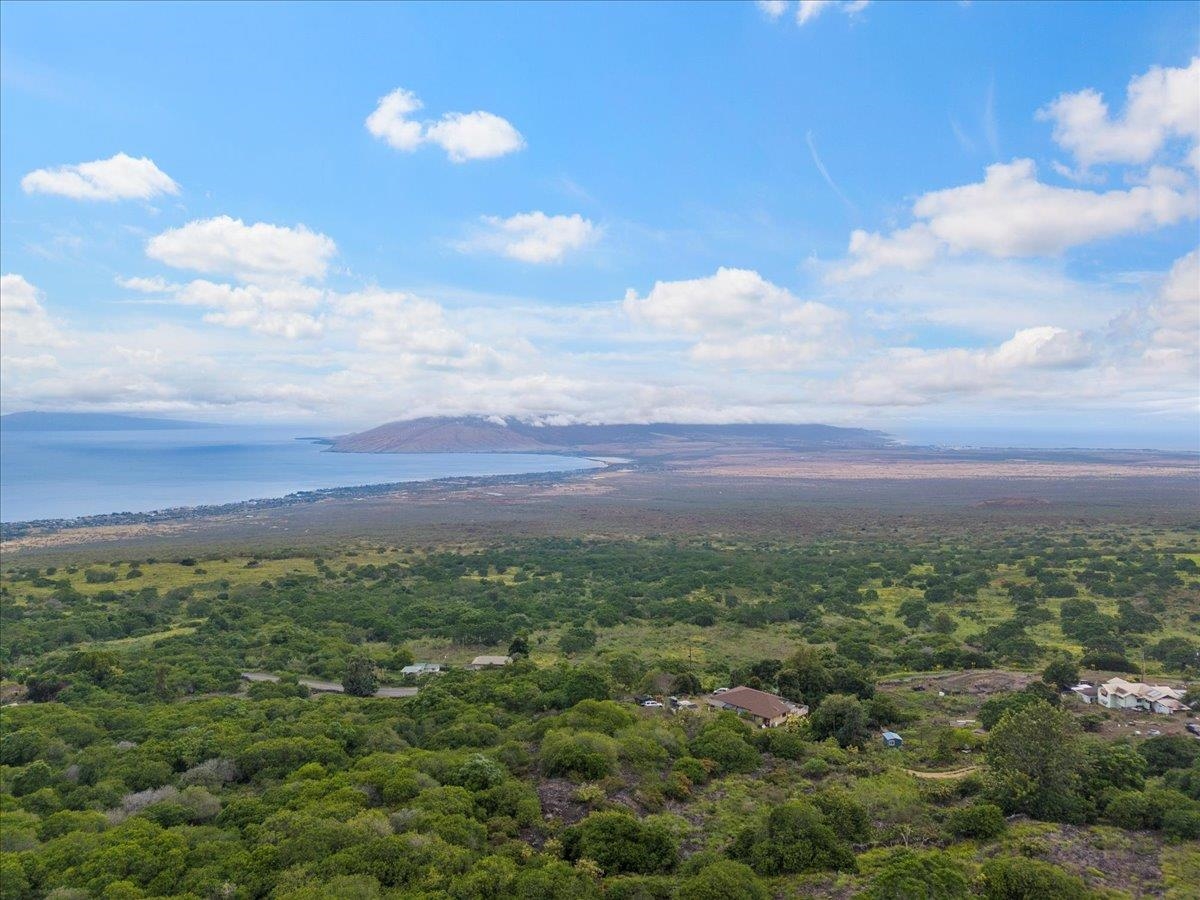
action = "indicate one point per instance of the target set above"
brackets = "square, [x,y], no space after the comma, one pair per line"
[255,253]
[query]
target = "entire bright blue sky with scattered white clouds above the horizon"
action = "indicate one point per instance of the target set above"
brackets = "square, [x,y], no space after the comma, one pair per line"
[641,213]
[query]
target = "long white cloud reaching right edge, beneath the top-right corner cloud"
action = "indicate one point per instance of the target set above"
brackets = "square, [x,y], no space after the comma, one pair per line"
[1012,214]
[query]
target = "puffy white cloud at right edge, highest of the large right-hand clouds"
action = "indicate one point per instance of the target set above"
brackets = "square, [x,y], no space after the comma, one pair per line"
[1161,105]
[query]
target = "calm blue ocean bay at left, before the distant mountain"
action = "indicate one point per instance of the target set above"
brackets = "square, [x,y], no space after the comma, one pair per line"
[63,475]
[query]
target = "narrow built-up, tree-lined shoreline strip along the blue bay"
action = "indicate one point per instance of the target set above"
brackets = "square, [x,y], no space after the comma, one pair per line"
[15,531]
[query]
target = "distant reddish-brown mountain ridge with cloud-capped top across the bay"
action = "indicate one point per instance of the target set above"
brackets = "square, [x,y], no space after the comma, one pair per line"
[506,435]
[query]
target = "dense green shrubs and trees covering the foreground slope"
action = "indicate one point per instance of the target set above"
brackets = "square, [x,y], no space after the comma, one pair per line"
[137,761]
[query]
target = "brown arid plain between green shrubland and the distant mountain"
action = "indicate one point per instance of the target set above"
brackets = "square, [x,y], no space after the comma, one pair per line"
[692,491]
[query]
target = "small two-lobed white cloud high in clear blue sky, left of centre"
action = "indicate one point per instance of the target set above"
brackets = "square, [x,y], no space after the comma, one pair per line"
[464,136]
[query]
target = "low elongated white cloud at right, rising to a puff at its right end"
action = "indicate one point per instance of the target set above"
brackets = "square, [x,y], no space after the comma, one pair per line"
[911,377]
